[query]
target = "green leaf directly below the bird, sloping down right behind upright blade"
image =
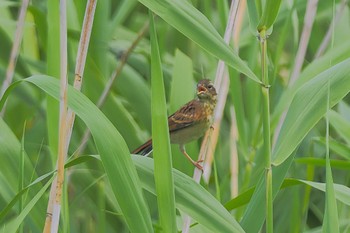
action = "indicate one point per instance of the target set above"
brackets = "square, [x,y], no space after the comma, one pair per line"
[191,198]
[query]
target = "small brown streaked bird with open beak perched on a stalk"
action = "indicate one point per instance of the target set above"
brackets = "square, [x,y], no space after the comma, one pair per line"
[189,122]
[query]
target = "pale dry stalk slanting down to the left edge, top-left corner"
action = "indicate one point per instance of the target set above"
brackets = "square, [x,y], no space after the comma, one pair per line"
[14,51]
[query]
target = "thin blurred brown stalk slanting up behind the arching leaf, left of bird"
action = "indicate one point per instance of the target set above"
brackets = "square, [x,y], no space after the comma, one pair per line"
[112,79]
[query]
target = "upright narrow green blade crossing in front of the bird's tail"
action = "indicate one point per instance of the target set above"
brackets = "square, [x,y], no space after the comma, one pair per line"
[161,141]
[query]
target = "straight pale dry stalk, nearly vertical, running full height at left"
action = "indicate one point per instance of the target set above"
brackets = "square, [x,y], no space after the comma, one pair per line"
[51,224]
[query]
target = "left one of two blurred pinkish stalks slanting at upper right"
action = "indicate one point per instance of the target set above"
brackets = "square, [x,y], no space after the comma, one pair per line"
[310,14]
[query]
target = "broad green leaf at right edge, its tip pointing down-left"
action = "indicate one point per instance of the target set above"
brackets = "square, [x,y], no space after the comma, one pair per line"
[308,107]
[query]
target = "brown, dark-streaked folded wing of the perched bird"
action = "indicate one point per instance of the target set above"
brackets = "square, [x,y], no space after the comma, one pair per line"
[185,116]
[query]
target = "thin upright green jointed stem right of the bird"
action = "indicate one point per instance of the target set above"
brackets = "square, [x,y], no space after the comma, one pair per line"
[266,132]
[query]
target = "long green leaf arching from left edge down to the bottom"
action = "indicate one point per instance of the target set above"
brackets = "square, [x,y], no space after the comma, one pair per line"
[113,151]
